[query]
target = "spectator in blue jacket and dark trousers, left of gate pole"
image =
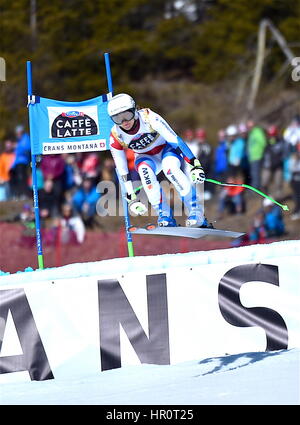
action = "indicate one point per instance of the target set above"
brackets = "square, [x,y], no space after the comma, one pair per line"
[19,178]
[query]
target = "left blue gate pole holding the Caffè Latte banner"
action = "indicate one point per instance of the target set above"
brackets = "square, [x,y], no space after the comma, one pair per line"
[34,178]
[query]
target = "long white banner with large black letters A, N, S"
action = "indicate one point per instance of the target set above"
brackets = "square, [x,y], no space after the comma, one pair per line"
[69,327]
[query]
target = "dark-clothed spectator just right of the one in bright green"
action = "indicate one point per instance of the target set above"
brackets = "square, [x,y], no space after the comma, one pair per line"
[272,164]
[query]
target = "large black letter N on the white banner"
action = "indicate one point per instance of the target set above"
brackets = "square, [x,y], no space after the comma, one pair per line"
[115,309]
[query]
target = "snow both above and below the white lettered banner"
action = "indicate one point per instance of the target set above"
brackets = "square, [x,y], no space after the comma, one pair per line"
[267,378]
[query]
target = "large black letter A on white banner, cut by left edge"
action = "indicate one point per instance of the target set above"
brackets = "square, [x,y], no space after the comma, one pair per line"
[34,358]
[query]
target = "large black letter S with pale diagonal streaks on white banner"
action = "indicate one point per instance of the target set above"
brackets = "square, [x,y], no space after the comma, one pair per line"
[238,315]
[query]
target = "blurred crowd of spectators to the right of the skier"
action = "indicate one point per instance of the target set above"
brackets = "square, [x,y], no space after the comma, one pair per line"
[265,157]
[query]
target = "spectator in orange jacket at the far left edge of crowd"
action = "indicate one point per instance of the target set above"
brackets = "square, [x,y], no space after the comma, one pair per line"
[6,161]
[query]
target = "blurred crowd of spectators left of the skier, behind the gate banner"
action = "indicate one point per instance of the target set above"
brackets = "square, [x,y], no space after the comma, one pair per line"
[66,183]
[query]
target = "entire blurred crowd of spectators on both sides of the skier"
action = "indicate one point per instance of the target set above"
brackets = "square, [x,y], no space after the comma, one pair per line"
[268,158]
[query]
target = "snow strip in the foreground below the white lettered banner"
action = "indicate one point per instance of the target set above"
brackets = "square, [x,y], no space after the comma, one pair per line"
[256,378]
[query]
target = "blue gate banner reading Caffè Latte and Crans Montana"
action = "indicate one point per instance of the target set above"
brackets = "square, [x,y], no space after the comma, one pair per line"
[63,127]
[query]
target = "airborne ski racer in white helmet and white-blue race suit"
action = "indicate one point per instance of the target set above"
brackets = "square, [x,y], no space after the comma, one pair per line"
[156,147]
